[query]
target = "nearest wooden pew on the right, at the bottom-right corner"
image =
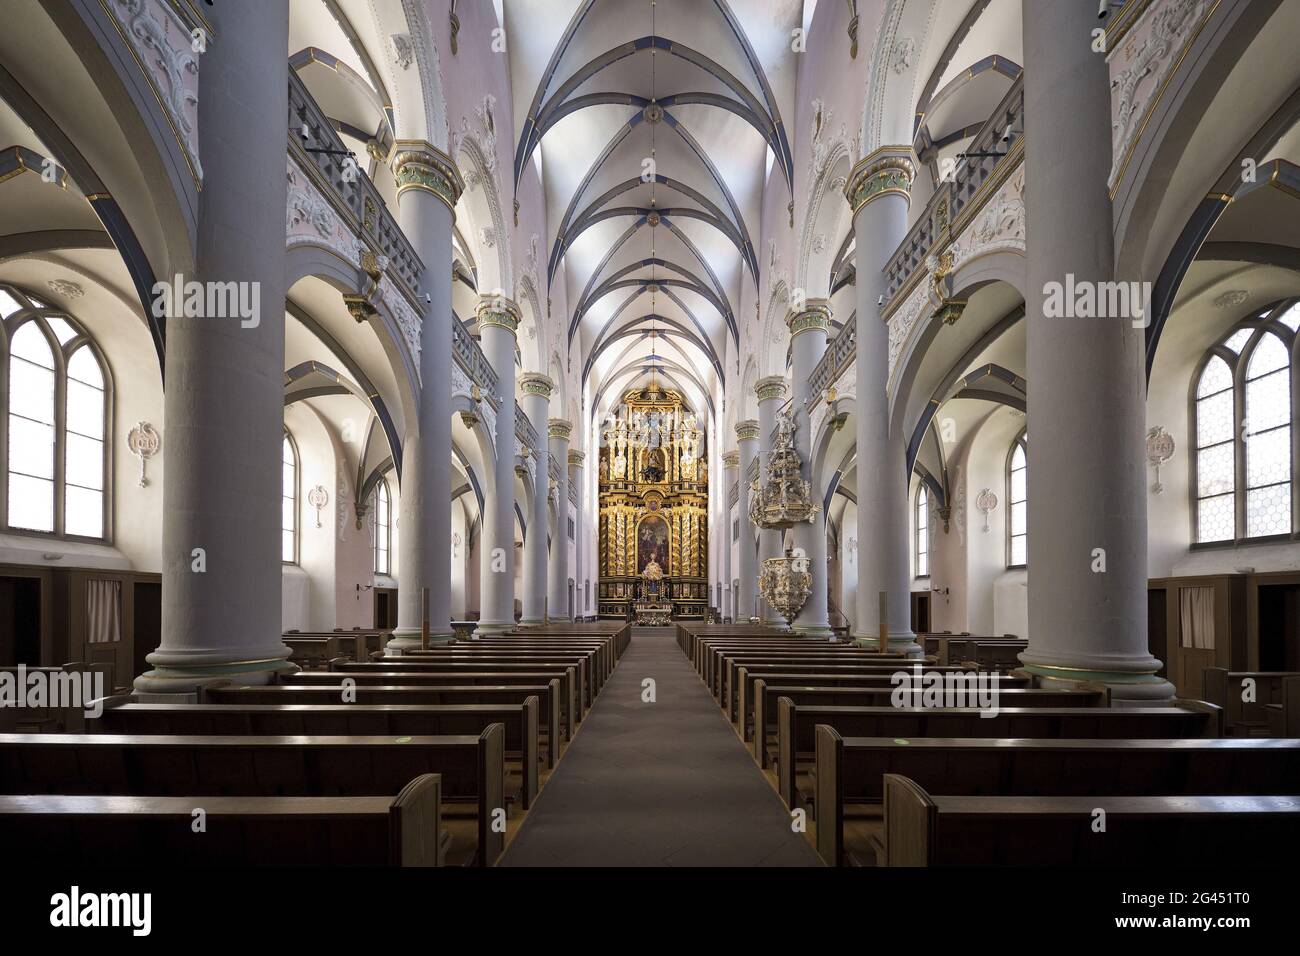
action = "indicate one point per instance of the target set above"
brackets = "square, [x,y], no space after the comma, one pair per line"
[924,830]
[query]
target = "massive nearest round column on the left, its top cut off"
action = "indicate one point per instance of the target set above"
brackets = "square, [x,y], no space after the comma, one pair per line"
[226,377]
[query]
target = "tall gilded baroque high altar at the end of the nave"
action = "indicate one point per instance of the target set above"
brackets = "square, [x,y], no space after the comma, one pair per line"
[655,511]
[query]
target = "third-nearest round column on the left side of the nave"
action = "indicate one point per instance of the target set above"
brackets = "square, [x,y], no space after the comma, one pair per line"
[499,325]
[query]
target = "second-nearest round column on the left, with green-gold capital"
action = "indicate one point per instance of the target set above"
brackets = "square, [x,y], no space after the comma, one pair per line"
[428,189]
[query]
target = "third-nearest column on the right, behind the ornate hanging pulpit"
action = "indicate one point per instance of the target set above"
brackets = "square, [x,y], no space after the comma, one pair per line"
[809,334]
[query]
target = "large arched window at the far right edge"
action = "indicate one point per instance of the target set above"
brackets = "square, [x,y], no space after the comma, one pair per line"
[1243,405]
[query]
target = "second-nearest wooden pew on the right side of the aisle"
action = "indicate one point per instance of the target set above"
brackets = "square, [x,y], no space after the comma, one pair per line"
[850,775]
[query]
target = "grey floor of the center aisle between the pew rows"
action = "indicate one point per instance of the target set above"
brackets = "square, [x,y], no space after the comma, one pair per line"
[657,785]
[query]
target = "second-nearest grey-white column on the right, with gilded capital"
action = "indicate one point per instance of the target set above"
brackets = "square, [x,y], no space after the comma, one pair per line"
[879,193]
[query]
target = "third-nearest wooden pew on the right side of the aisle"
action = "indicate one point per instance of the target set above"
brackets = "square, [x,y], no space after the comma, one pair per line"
[796,733]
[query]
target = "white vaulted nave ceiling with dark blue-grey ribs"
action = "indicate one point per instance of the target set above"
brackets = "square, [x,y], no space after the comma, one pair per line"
[655,127]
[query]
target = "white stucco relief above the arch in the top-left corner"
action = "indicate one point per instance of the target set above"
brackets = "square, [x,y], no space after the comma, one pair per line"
[164,45]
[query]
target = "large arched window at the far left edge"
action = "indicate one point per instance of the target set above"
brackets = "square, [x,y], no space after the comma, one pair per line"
[57,418]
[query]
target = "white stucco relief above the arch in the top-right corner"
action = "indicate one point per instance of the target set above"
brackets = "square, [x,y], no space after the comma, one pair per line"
[1142,66]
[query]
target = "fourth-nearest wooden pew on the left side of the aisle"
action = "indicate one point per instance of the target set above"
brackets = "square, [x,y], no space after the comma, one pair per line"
[548,697]
